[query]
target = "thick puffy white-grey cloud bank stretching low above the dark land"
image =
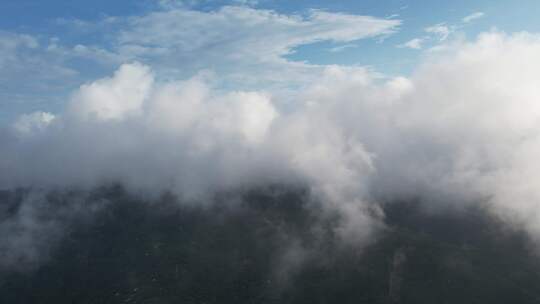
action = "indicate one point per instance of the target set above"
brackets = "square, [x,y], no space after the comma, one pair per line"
[462,130]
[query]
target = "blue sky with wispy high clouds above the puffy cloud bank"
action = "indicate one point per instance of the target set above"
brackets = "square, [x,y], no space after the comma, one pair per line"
[52,47]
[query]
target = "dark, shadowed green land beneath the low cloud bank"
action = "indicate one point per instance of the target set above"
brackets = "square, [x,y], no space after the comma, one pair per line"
[268,248]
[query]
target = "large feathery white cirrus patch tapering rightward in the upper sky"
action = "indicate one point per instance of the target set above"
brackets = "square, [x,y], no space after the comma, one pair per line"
[238,35]
